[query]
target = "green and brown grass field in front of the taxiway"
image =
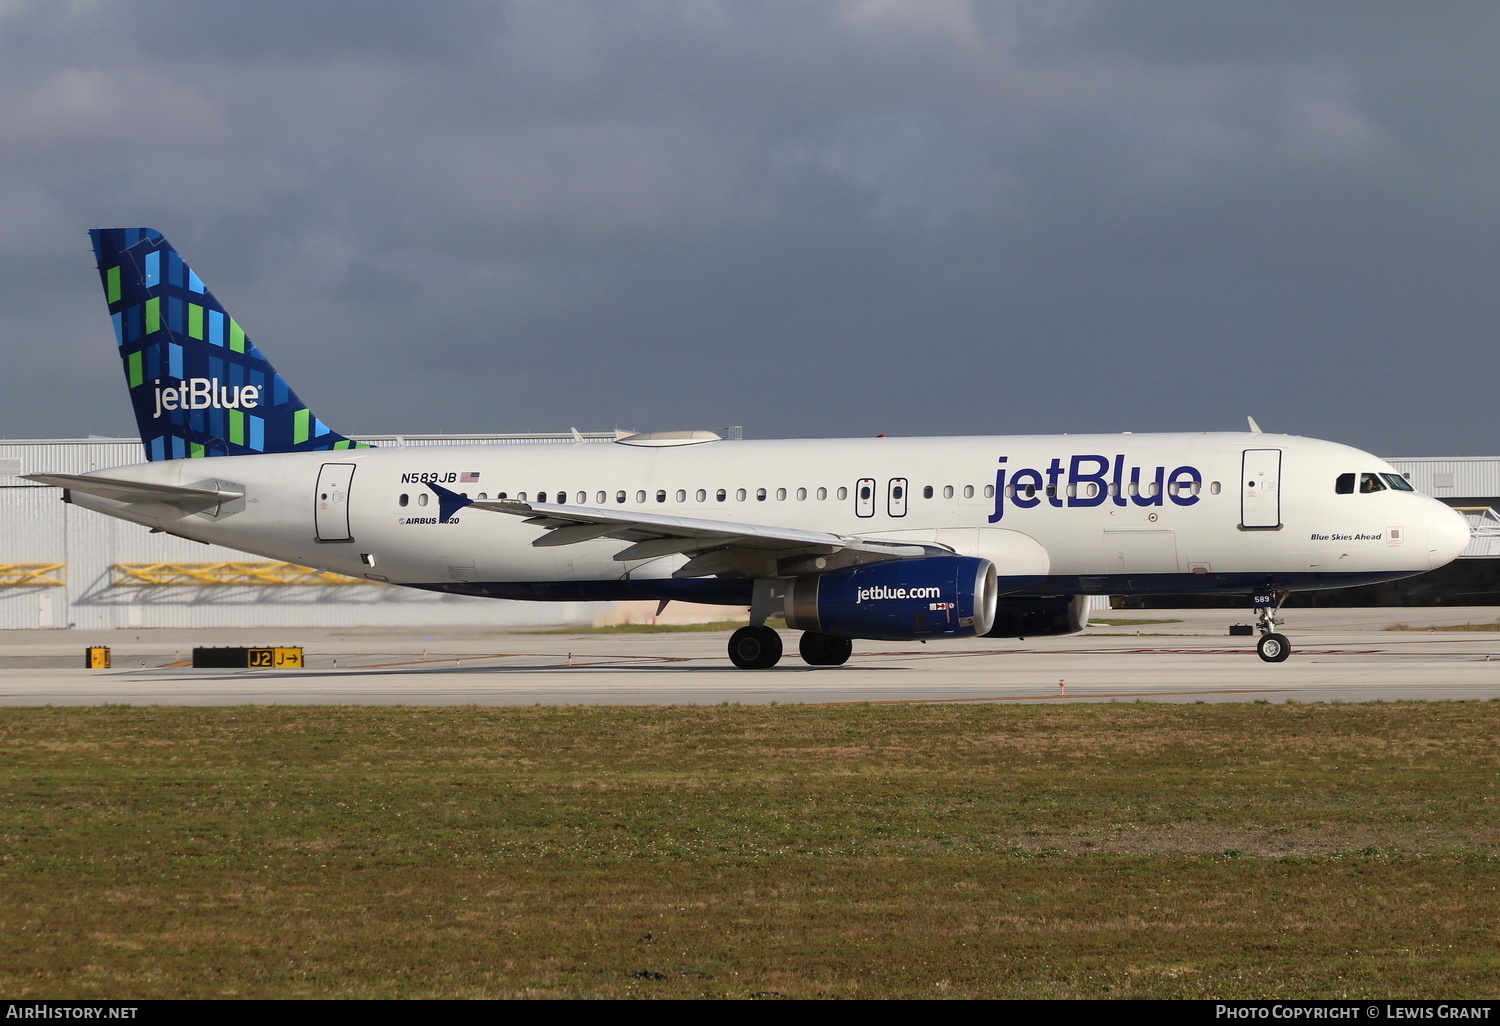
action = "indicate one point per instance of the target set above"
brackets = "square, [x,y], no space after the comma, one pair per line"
[1133,851]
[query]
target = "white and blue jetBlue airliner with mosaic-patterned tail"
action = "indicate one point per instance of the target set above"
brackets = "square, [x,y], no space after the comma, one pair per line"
[883,539]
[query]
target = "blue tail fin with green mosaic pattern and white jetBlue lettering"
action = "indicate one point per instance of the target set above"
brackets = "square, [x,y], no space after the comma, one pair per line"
[200,388]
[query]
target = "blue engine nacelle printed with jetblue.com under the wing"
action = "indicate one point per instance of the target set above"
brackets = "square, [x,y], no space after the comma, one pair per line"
[898,601]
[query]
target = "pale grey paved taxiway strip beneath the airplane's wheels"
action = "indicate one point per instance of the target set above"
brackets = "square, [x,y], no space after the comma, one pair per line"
[1343,656]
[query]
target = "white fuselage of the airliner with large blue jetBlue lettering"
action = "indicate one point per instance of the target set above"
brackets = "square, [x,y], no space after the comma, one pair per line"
[1057,514]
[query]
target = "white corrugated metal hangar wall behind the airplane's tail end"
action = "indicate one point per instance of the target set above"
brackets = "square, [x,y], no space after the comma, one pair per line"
[38,527]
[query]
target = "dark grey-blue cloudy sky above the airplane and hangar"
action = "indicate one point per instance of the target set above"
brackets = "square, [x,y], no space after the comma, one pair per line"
[842,218]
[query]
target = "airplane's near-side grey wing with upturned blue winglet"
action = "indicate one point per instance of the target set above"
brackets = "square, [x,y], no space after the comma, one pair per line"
[713,545]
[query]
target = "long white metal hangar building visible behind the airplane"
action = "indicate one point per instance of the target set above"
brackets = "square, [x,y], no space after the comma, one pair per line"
[64,566]
